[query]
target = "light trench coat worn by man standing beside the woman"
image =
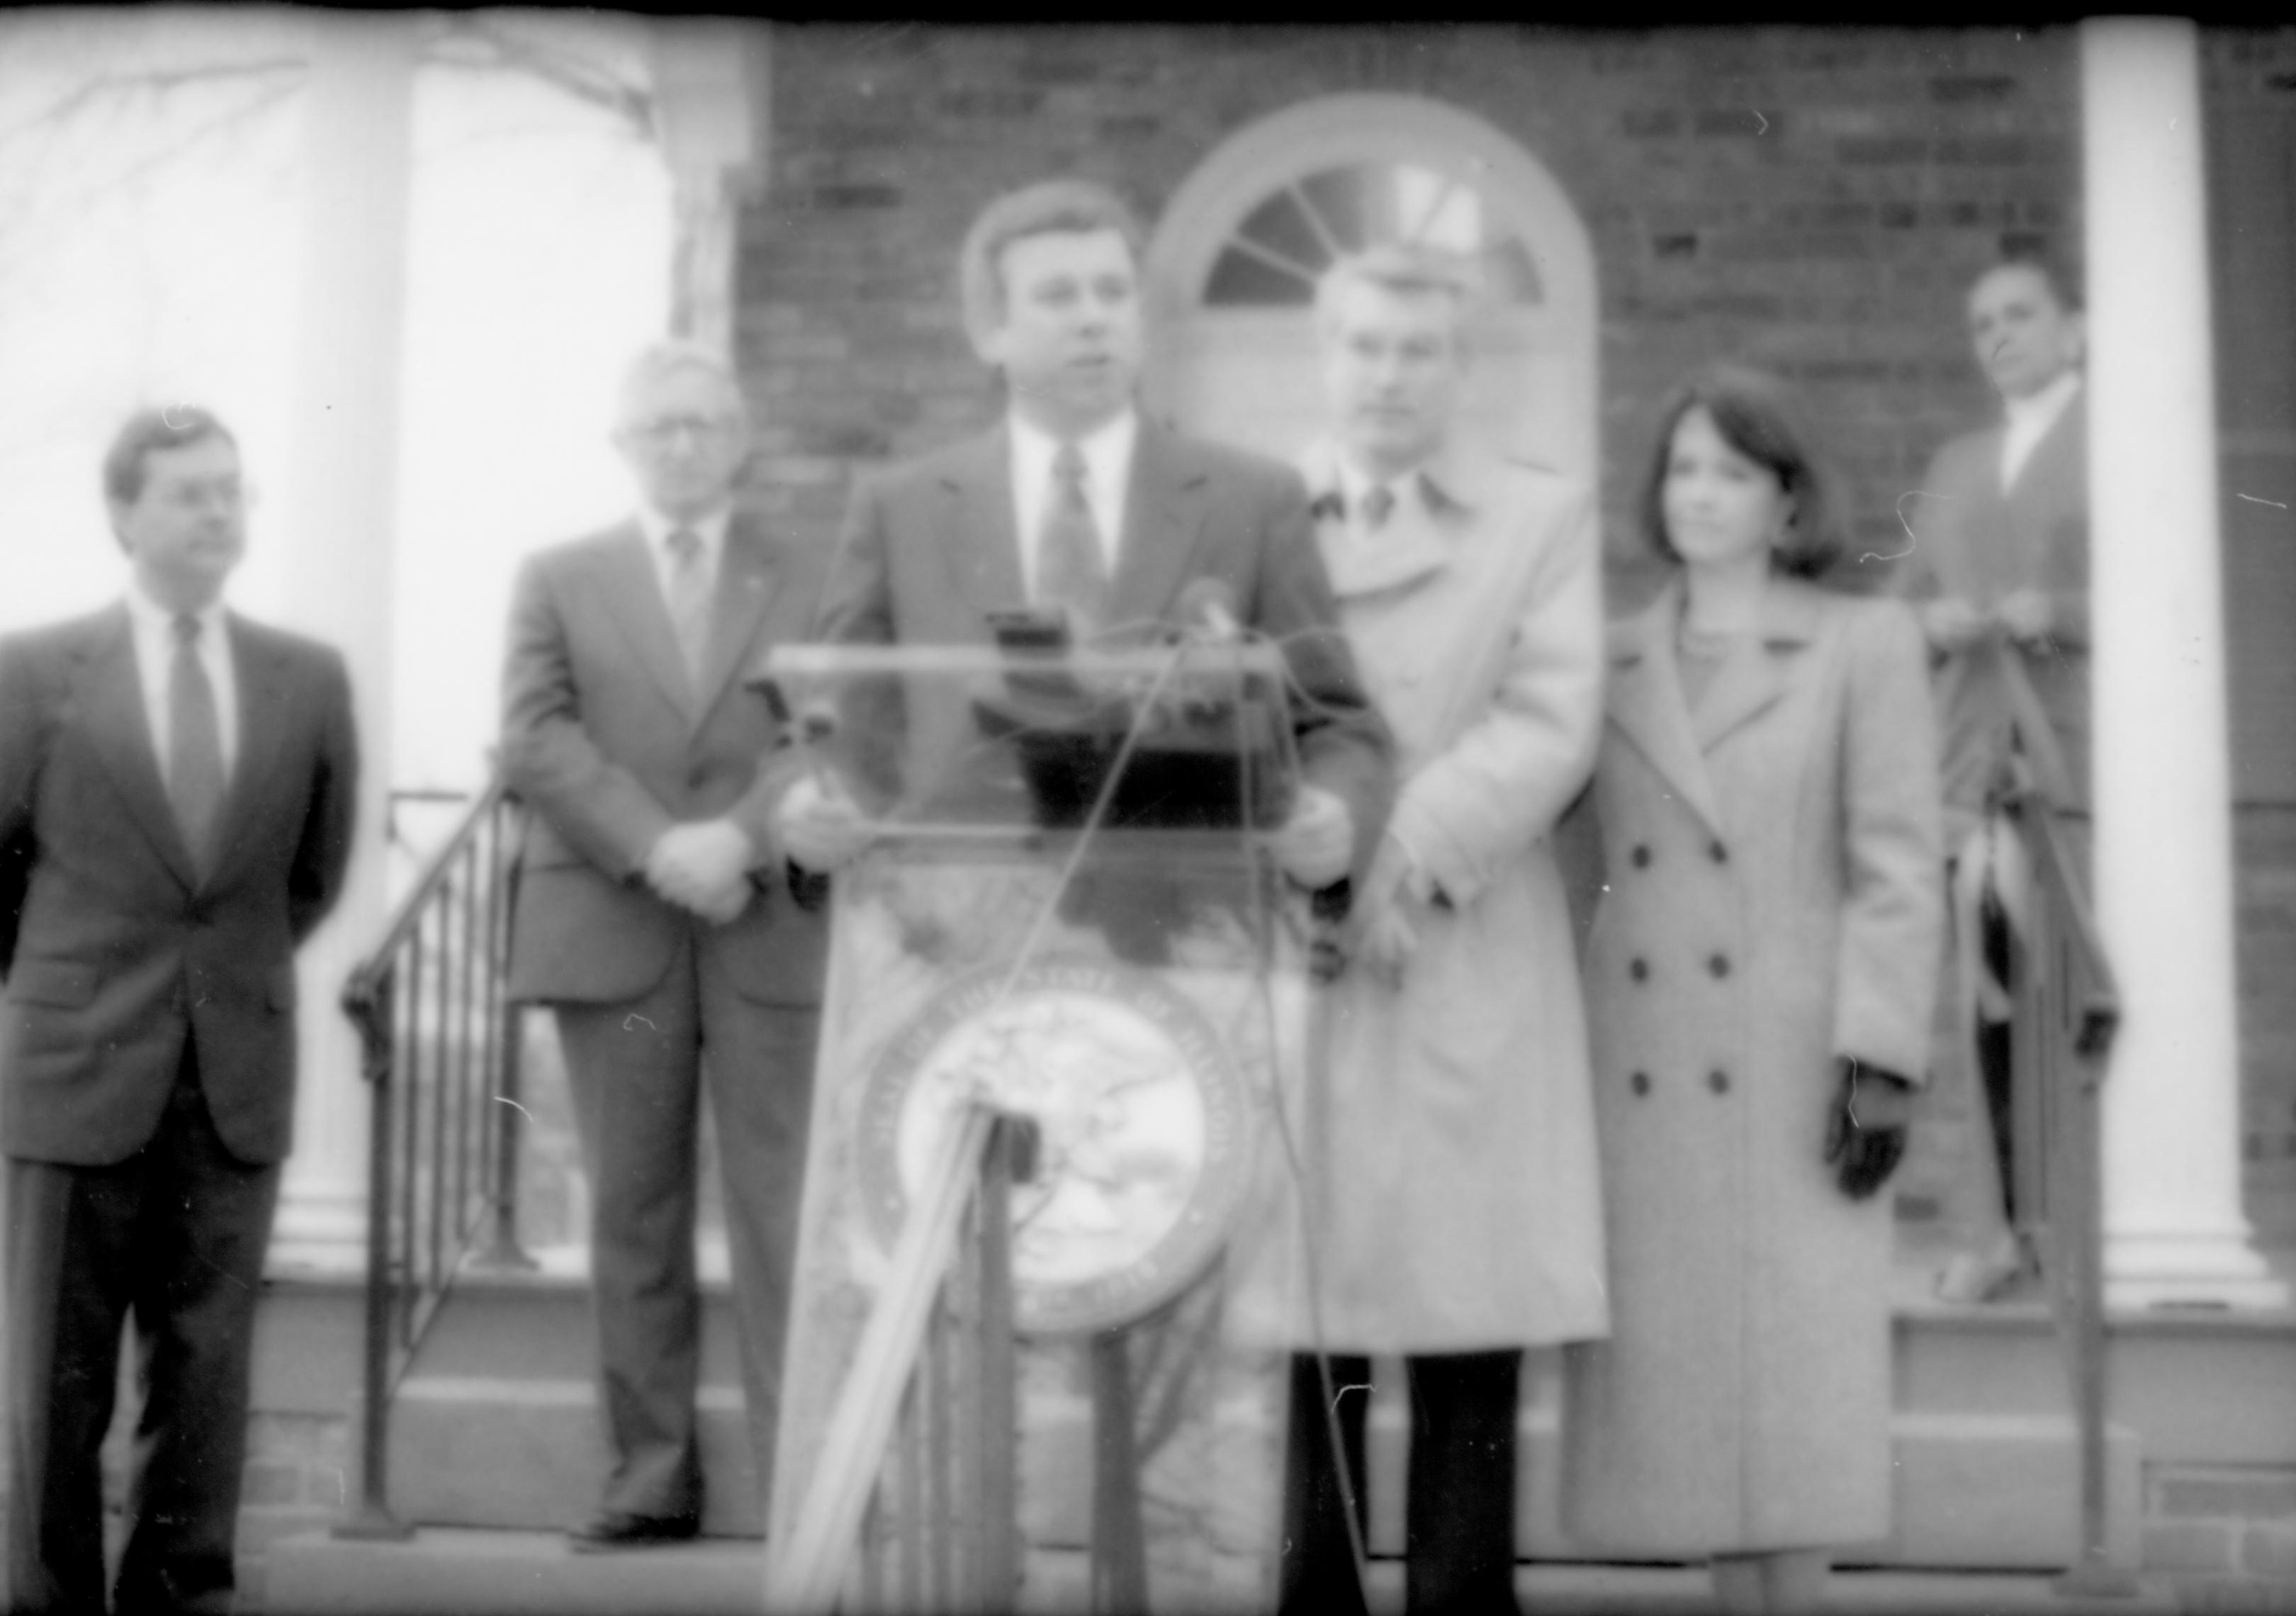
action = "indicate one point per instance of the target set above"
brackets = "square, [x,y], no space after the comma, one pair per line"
[1452,1165]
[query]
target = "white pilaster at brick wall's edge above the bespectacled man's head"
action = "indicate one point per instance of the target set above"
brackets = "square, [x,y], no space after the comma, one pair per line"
[711,86]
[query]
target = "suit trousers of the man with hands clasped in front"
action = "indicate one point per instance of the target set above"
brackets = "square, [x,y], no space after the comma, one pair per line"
[637,1073]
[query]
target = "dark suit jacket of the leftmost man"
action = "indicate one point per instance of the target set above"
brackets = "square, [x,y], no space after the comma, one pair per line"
[121,951]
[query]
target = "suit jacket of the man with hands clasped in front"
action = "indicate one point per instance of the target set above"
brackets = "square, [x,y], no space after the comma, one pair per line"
[610,745]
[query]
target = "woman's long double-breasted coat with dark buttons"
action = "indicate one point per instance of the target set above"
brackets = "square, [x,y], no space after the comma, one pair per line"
[1771,903]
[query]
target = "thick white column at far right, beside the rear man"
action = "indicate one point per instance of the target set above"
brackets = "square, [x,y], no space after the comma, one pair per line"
[2175,1232]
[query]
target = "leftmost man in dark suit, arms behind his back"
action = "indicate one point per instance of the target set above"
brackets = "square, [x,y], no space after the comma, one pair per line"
[176,816]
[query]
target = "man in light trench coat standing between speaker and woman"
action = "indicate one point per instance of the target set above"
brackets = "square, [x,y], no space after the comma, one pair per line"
[1452,1199]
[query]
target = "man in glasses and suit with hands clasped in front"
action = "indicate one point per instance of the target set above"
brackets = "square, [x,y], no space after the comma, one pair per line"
[658,917]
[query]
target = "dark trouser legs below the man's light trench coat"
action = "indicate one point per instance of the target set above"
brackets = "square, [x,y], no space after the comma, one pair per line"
[1459,1516]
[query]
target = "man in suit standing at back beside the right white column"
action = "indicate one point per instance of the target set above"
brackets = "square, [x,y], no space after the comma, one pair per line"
[2001,575]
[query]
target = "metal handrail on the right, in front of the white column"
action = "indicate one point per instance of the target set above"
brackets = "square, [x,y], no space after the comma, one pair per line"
[2065,1013]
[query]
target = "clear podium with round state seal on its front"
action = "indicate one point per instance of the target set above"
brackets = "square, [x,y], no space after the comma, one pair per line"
[1039,1268]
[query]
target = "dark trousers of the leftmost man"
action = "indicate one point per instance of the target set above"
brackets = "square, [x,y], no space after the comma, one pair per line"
[176,1241]
